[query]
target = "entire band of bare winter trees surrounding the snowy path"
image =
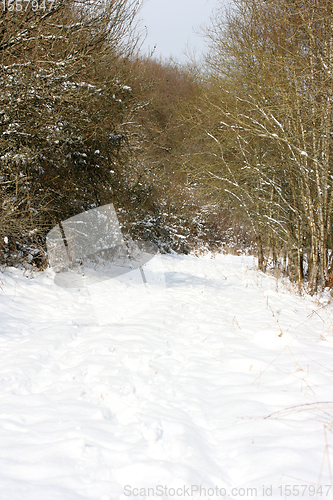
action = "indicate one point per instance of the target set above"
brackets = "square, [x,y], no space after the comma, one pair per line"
[233,152]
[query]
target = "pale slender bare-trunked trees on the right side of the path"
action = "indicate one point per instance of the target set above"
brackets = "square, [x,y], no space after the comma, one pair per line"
[265,118]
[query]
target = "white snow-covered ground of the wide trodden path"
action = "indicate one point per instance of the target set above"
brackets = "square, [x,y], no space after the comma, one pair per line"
[225,384]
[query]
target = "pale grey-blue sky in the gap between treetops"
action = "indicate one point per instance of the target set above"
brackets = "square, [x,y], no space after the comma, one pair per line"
[170,25]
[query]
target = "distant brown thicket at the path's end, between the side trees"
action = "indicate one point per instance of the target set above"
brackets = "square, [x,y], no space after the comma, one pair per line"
[173,208]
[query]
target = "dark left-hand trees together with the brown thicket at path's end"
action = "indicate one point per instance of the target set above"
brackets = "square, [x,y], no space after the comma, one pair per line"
[85,121]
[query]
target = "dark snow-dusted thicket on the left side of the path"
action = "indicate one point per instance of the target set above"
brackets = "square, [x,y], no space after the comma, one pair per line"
[62,105]
